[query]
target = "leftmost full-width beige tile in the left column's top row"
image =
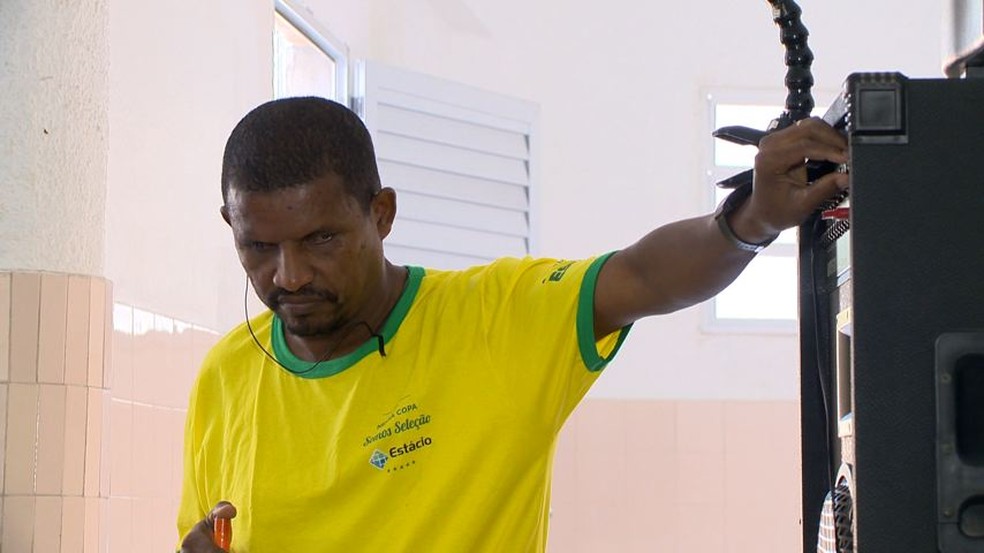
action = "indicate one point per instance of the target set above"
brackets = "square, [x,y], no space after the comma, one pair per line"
[25,316]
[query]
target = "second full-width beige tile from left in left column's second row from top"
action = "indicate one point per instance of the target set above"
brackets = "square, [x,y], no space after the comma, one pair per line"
[51,440]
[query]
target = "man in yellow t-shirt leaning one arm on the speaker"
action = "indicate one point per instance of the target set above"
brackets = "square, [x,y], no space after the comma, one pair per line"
[379,407]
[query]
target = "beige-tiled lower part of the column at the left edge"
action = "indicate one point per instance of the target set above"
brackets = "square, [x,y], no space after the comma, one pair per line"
[53,409]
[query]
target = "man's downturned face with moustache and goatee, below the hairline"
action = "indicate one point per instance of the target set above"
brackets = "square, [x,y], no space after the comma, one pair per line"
[313,254]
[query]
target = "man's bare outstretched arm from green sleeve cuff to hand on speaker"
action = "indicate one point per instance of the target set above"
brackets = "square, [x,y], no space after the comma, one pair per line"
[686,262]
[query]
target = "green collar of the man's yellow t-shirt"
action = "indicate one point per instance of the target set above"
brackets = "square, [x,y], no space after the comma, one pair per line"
[334,366]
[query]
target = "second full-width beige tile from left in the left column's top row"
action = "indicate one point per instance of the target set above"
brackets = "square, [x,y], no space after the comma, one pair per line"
[51,333]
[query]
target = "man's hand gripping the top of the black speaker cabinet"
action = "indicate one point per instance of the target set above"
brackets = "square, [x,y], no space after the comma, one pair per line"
[781,196]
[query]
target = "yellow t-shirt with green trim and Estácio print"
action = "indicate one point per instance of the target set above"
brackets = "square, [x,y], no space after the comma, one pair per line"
[442,445]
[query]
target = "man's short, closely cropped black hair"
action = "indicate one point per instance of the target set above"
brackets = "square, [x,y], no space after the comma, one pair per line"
[292,141]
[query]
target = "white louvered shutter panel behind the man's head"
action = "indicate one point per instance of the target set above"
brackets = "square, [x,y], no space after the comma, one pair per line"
[459,159]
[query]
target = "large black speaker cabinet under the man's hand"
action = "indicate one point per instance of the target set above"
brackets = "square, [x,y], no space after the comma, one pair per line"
[892,325]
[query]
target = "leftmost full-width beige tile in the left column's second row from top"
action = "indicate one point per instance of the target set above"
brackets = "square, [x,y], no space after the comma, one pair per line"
[22,436]
